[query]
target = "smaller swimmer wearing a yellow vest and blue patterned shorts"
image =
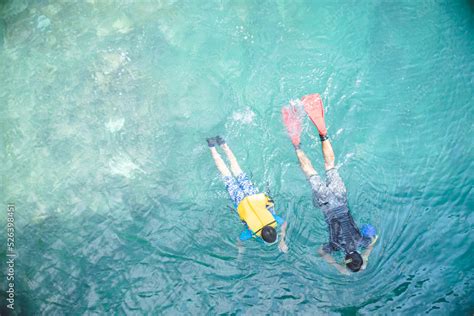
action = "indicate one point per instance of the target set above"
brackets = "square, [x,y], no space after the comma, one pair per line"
[255,209]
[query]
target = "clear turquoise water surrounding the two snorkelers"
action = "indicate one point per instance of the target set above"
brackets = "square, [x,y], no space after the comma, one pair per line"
[104,110]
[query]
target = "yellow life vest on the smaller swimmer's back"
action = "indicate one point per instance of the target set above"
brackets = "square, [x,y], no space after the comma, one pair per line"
[253,210]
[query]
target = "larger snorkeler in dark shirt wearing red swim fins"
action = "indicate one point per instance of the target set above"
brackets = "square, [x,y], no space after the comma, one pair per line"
[330,196]
